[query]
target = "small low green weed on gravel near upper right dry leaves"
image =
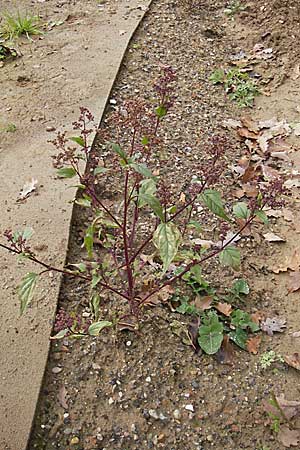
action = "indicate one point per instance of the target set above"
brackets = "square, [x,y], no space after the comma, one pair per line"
[237,84]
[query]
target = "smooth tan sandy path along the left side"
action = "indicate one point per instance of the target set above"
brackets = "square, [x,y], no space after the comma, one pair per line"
[73,64]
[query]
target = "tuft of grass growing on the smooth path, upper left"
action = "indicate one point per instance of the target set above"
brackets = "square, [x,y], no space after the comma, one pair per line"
[15,25]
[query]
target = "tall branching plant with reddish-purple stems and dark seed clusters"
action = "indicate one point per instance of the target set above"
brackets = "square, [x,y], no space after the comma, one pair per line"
[144,215]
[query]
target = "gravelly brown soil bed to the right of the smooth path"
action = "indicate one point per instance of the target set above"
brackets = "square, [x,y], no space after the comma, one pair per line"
[130,391]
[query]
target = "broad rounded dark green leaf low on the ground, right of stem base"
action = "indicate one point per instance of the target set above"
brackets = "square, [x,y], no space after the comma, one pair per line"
[210,334]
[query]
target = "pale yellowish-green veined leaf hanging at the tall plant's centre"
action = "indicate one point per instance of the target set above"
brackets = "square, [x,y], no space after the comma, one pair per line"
[167,239]
